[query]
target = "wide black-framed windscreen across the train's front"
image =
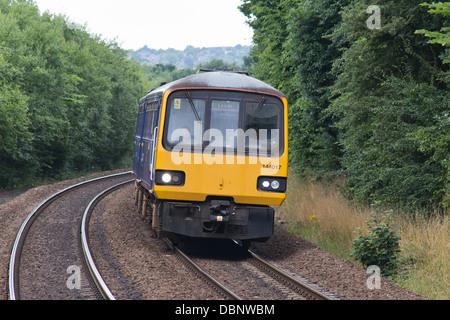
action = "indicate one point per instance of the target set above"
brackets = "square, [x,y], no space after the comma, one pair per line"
[224,121]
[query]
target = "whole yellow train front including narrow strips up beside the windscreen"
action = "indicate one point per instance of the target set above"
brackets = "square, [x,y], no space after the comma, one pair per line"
[220,175]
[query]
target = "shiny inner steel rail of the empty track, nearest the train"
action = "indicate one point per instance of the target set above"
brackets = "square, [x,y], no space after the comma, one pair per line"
[101,285]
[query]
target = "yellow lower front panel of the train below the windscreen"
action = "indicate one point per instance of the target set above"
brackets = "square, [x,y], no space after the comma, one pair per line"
[238,181]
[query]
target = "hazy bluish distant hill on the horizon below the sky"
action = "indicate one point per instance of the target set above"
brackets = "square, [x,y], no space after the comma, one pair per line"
[191,56]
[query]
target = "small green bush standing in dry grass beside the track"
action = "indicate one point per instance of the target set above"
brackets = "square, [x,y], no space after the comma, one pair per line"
[380,244]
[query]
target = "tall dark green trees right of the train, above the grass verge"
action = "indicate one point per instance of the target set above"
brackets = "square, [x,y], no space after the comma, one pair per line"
[368,84]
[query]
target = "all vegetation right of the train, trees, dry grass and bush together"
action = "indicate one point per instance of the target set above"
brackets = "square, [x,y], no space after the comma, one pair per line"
[370,108]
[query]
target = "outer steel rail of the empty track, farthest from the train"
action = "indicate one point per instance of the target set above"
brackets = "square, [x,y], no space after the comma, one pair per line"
[23,231]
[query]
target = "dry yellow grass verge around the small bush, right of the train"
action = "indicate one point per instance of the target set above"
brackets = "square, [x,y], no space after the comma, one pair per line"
[318,212]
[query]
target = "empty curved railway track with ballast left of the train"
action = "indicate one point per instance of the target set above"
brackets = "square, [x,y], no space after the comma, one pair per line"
[63,227]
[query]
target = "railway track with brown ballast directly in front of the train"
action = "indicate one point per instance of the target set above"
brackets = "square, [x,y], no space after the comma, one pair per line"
[281,281]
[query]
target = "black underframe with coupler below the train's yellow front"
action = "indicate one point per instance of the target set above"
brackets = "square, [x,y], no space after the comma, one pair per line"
[214,218]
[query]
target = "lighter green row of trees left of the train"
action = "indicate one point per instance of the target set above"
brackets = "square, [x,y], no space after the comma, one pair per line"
[67,98]
